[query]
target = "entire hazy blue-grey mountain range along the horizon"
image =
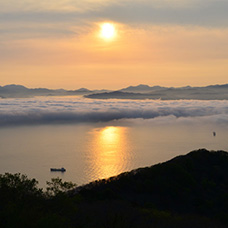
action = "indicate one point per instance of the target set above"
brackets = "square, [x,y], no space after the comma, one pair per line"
[142,91]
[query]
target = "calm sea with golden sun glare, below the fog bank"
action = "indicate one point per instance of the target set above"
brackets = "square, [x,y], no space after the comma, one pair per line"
[92,151]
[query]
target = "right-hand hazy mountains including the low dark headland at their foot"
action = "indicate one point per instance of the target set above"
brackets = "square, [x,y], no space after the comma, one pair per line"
[212,92]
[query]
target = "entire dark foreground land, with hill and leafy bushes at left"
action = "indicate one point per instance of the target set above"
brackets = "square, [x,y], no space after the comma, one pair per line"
[187,191]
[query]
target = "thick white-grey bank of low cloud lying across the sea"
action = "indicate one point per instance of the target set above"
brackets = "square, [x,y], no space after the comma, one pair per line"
[58,110]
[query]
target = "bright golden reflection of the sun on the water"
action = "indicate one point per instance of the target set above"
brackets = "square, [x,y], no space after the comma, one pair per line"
[109,152]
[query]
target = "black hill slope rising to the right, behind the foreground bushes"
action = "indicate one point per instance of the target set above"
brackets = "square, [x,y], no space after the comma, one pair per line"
[193,183]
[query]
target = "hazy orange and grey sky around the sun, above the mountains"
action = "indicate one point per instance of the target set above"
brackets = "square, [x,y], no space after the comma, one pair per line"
[57,44]
